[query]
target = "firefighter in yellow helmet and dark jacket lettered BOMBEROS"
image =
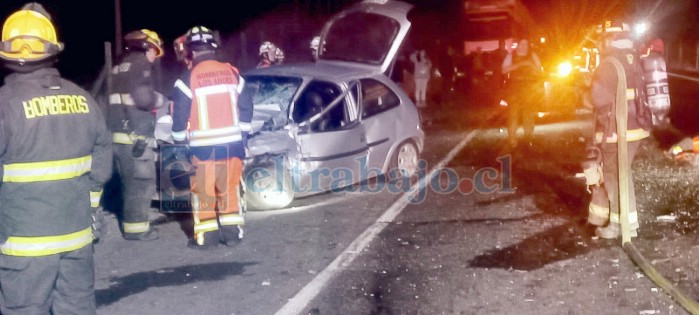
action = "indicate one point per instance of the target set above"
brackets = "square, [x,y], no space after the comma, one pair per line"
[55,156]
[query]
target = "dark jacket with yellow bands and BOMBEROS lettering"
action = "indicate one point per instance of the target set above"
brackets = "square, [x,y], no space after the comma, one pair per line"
[56,154]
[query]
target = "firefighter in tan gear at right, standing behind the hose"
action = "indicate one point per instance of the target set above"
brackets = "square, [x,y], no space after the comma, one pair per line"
[619,60]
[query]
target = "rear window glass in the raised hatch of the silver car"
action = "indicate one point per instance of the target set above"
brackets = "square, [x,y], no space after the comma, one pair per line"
[369,44]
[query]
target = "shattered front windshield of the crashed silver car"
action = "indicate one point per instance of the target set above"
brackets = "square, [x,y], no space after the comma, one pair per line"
[272,96]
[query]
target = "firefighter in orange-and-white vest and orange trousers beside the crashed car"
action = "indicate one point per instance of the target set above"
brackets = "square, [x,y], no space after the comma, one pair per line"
[209,99]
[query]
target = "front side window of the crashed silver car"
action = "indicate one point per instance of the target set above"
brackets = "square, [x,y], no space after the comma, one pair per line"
[316,99]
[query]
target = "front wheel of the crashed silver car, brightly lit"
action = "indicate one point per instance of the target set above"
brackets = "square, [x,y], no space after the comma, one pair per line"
[268,187]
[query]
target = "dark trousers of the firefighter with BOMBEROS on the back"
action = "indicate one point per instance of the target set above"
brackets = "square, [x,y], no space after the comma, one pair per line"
[55,284]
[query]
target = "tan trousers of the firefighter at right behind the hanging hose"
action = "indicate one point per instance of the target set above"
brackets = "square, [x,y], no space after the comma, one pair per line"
[605,201]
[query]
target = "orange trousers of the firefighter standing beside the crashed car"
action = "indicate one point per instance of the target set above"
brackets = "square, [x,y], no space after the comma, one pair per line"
[215,195]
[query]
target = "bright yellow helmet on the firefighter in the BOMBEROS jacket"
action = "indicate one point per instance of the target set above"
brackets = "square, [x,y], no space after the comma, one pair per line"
[29,36]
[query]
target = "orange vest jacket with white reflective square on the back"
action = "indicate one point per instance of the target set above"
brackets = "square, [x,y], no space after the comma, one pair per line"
[211,110]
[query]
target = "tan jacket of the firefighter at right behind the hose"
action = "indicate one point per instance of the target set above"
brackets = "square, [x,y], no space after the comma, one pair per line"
[603,96]
